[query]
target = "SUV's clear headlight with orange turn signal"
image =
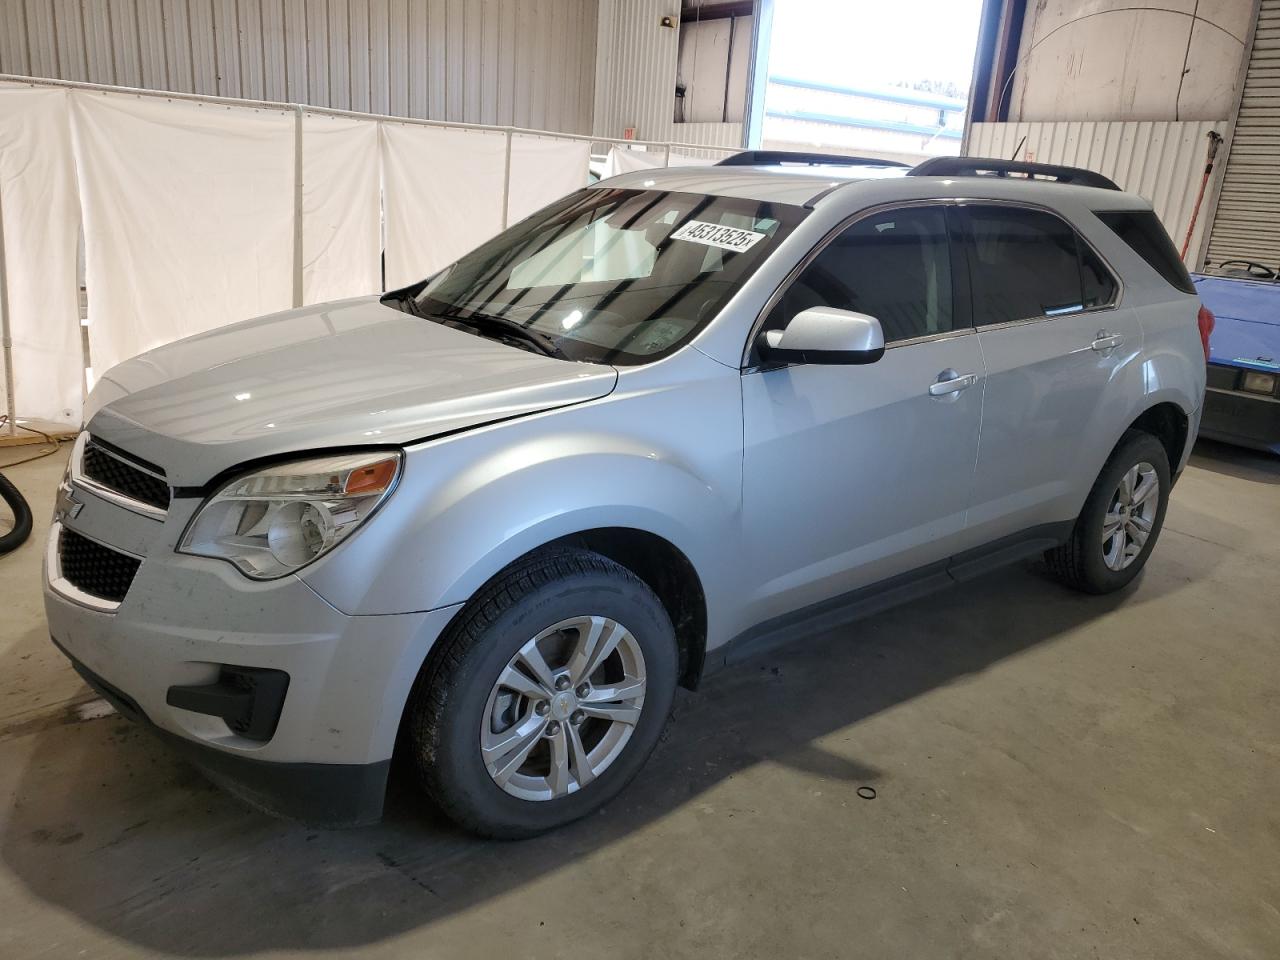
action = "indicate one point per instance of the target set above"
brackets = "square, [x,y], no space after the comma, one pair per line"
[273,522]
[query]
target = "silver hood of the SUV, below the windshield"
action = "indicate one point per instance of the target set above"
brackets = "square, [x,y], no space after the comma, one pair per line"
[333,376]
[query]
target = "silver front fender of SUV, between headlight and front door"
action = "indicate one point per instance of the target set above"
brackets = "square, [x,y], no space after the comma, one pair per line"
[470,505]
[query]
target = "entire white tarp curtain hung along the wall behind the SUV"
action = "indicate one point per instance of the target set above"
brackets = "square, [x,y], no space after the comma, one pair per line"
[189,217]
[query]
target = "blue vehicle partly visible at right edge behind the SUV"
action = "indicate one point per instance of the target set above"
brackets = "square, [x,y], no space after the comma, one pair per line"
[1242,403]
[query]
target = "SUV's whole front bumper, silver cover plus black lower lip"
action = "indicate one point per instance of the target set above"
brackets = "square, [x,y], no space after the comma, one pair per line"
[186,620]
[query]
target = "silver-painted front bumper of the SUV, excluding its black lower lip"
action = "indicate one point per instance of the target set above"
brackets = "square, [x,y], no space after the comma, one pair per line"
[184,616]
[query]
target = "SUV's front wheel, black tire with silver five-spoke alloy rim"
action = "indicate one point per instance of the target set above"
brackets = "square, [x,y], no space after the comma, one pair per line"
[546,696]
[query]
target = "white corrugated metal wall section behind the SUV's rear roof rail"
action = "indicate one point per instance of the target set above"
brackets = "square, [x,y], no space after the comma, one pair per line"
[1162,161]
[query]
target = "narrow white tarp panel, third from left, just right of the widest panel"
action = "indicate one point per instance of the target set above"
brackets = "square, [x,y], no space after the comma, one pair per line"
[341,217]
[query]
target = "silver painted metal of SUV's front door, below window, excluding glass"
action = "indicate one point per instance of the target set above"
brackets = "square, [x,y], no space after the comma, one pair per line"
[854,474]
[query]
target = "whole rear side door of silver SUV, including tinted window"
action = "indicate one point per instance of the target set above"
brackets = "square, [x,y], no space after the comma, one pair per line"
[1063,363]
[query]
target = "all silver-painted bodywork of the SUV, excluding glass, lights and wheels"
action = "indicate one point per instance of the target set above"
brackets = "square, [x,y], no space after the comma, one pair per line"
[781,487]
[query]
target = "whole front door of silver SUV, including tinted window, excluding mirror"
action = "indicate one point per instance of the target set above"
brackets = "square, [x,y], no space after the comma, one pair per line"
[856,474]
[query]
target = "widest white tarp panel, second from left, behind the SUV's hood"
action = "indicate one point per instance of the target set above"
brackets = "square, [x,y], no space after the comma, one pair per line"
[189,217]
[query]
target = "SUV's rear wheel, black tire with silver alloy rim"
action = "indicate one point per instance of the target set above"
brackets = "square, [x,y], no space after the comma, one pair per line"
[1122,519]
